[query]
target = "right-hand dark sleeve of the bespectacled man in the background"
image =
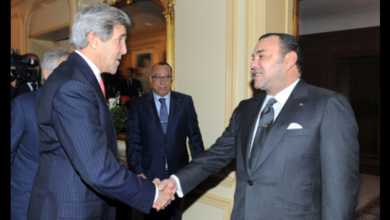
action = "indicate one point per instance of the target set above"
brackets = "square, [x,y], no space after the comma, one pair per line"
[193,131]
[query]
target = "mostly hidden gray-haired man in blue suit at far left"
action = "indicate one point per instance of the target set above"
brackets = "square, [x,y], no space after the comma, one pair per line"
[24,139]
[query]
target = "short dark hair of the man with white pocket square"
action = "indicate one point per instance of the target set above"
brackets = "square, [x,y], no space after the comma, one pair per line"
[289,43]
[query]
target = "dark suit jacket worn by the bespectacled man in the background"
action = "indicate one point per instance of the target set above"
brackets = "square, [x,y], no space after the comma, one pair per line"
[146,143]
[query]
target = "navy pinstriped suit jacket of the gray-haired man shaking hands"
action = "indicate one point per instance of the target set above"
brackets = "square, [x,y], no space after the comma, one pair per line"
[79,176]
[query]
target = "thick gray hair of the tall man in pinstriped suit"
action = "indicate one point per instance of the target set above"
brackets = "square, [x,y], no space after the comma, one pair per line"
[98,18]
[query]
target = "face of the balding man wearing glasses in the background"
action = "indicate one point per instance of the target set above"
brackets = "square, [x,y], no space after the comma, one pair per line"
[161,86]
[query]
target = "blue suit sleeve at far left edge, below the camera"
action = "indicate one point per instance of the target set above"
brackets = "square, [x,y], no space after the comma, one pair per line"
[17,126]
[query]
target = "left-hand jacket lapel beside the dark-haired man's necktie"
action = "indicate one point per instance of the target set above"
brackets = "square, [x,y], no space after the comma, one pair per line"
[249,123]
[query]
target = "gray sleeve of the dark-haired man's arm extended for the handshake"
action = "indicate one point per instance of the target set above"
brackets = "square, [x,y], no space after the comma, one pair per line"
[212,160]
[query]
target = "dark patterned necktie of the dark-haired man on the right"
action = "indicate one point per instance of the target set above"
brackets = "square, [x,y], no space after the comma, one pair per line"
[265,122]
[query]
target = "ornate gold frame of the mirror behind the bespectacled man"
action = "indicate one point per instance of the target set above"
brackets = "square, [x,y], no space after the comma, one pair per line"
[169,12]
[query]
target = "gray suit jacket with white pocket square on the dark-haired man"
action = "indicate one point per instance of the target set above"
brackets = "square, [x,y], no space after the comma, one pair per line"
[307,174]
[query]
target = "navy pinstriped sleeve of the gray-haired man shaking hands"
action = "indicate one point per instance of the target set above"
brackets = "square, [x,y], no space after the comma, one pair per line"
[81,130]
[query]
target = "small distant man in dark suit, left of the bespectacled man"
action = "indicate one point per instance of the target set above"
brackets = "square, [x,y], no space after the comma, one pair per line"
[130,86]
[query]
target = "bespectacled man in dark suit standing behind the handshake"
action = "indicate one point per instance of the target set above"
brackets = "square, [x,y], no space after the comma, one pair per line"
[155,148]
